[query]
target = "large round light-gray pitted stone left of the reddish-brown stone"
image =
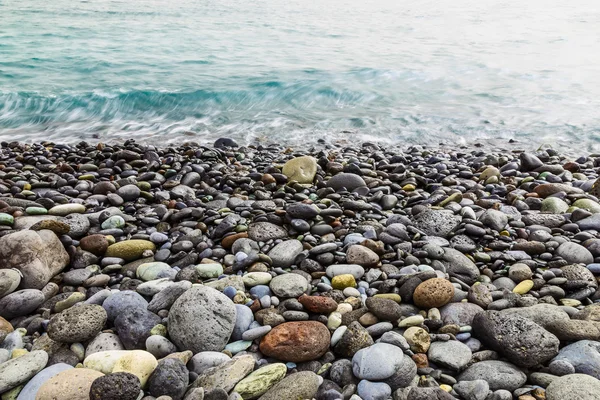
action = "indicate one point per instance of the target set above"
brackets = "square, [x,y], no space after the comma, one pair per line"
[202,319]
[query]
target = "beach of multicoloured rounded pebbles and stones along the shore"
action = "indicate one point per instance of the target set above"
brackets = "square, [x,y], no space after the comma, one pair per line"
[335,271]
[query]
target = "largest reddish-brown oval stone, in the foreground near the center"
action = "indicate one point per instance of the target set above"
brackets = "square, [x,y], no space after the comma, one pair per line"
[296,341]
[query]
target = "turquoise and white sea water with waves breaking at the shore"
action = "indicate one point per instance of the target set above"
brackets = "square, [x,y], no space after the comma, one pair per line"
[295,71]
